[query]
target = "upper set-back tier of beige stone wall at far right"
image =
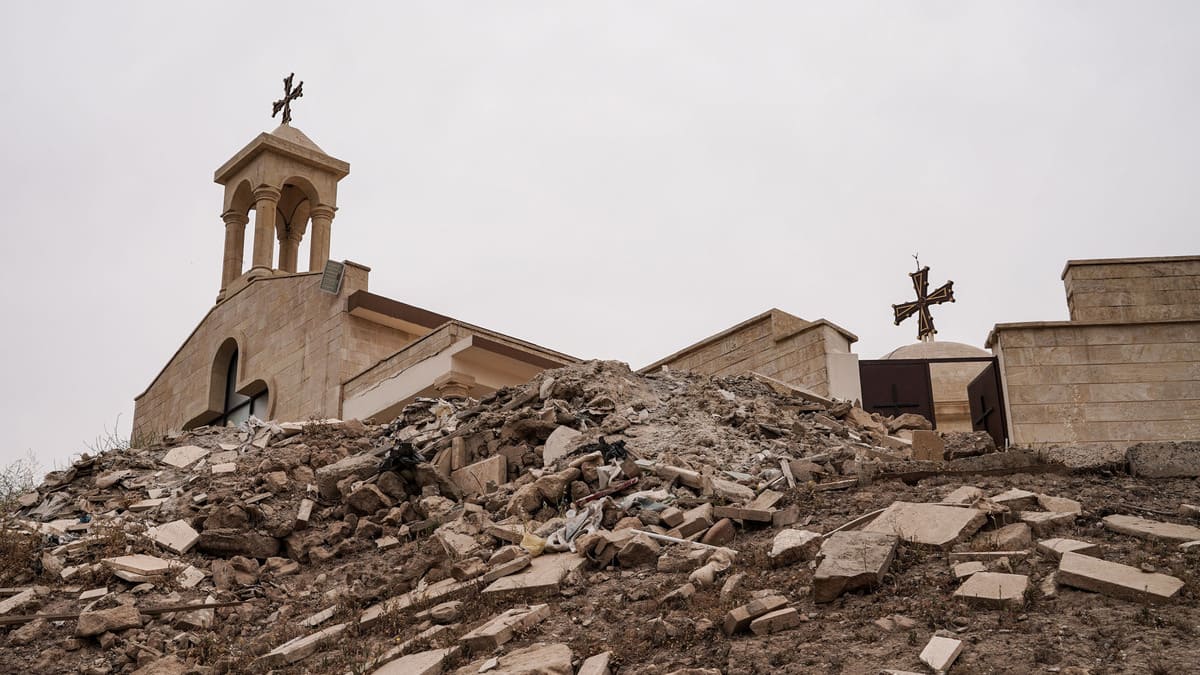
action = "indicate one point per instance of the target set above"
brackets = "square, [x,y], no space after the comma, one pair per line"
[1133,290]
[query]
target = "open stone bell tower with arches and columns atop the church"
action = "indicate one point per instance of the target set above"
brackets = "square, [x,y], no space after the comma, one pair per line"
[287,181]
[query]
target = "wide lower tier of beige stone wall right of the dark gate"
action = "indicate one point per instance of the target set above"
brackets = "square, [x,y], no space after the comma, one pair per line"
[1101,384]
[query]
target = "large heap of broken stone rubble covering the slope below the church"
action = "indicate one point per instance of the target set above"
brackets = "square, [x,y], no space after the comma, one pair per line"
[596,521]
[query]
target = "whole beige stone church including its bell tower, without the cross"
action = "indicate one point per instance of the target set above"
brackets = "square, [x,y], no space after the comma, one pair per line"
[303,351]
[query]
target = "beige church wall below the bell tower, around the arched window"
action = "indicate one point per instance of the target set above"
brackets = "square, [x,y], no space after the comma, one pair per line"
[291,336]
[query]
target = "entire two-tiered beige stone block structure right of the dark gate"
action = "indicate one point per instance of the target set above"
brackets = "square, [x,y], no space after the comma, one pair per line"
[1118,373]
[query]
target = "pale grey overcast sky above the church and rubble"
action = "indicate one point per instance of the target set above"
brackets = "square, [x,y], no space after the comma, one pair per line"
[607,180]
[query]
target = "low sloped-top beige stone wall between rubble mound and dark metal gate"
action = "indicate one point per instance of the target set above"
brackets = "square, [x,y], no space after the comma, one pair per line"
[813,355]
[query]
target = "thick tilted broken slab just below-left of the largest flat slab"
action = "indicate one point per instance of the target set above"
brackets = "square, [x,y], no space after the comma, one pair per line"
[853,560]
